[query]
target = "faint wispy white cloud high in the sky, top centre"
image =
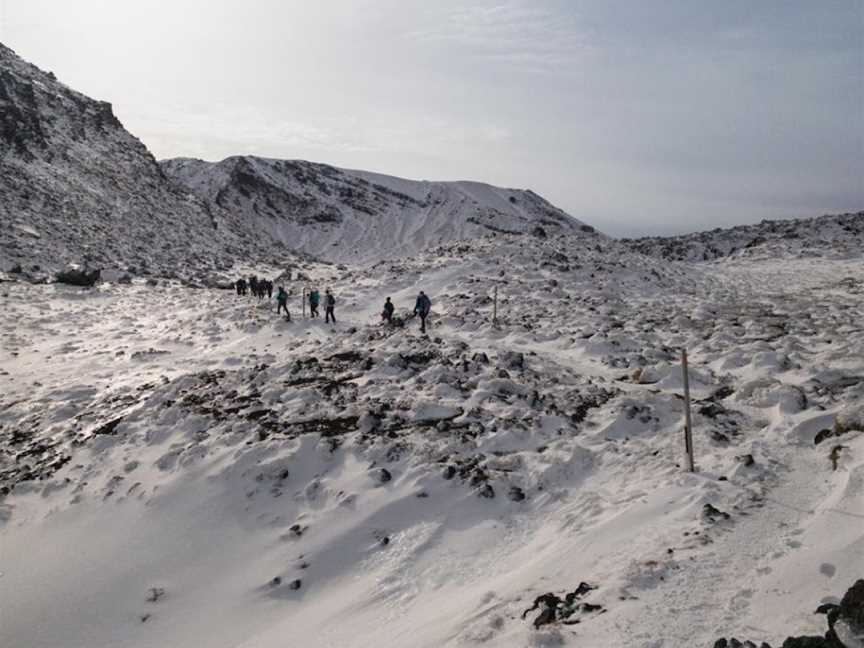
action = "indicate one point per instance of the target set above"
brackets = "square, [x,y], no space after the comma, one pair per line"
[512,33]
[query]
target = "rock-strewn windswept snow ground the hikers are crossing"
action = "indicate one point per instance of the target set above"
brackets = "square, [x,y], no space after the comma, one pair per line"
[184,468]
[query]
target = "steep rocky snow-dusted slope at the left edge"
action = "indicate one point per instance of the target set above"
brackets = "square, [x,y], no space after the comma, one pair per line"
[76,187]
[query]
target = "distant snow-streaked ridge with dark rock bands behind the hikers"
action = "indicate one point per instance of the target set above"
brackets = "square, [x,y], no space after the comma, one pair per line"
[356,216]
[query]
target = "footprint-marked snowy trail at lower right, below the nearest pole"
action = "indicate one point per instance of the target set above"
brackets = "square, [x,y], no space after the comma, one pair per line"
[759,572]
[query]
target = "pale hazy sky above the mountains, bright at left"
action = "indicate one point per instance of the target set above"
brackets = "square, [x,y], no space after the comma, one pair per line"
[636,116]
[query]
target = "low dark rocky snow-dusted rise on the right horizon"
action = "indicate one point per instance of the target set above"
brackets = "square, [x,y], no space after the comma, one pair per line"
[837,236]
